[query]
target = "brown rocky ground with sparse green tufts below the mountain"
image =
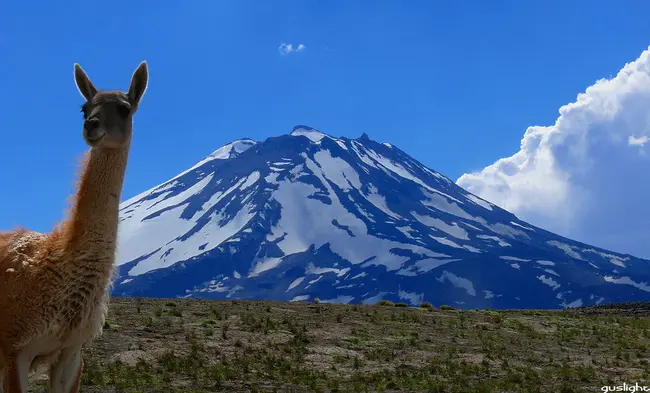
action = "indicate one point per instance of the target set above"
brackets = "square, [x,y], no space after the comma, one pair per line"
[163,345]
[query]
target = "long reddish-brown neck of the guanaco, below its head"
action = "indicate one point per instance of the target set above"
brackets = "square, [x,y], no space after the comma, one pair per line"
[91,230]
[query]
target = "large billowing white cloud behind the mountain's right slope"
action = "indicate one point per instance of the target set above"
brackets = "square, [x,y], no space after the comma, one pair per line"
[586,176]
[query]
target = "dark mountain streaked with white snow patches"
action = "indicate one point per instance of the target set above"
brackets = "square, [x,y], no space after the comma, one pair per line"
[306,215]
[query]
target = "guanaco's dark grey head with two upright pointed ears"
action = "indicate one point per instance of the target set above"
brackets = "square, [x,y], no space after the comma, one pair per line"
[108,115]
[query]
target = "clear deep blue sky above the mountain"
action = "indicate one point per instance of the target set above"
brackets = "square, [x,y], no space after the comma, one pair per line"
[454,84]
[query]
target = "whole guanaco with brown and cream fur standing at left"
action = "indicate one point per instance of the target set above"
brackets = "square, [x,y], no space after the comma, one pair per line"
[54,287]
